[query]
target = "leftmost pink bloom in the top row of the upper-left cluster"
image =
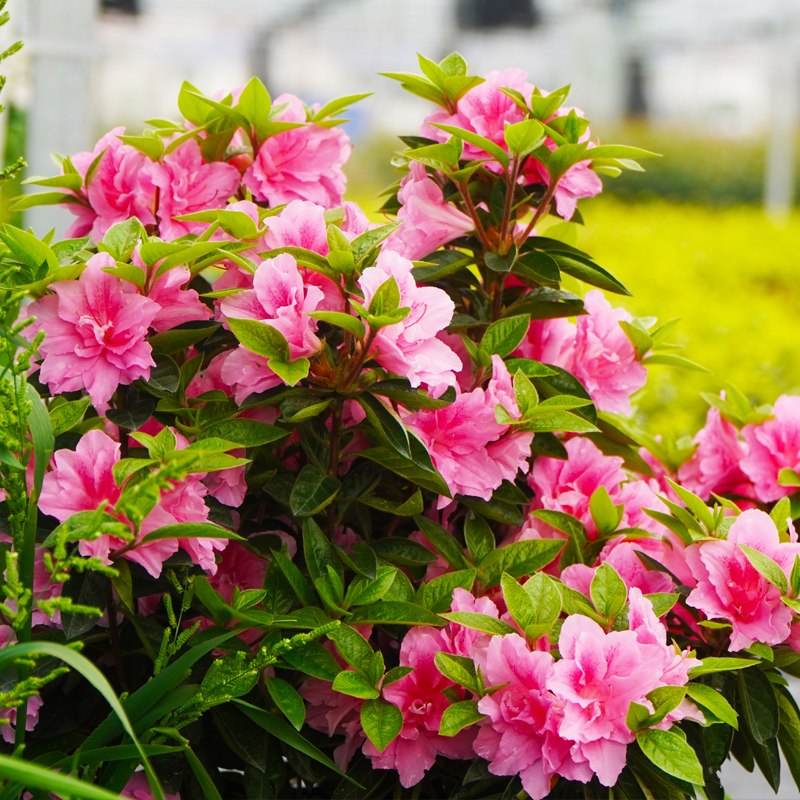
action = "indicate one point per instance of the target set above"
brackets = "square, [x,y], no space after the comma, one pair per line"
[116,191]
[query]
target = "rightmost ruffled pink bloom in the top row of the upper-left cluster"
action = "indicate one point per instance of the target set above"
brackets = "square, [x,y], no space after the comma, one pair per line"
[300,164]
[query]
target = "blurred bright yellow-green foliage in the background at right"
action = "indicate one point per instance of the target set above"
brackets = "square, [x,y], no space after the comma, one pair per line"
[729,274]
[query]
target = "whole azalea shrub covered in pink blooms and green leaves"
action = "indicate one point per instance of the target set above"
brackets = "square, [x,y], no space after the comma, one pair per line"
[299,504]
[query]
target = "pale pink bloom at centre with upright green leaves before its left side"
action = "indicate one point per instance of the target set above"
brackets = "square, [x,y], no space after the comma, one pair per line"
[410,347]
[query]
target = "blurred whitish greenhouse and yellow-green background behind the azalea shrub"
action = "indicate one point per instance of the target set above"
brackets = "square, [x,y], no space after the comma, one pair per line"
[707,234]
